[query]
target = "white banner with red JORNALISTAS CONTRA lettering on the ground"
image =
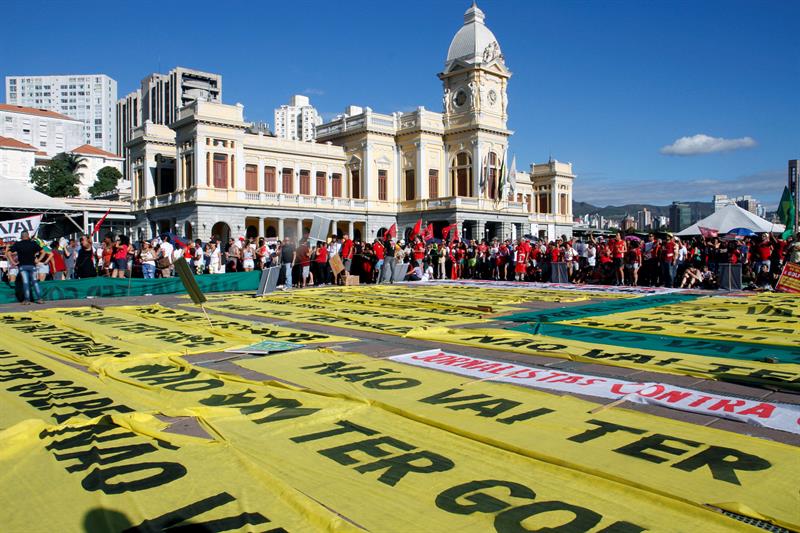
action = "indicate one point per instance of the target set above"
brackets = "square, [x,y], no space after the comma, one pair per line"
[779,416]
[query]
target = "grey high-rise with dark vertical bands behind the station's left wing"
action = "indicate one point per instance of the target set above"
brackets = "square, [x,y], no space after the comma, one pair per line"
[161,96]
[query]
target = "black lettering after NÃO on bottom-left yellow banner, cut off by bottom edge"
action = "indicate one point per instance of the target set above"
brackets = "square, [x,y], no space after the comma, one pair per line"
[172,519]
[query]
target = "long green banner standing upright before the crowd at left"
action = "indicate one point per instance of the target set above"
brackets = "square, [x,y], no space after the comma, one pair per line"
[114,287]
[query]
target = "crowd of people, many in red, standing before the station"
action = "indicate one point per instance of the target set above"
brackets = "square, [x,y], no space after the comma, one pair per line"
[665,261]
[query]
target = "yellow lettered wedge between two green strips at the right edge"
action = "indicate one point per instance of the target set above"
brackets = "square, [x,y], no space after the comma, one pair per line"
[744,319]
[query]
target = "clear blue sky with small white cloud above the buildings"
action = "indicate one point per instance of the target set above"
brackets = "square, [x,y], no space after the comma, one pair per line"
[609,86]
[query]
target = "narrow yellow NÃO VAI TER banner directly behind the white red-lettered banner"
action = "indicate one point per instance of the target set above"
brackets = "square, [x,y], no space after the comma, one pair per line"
[779,375]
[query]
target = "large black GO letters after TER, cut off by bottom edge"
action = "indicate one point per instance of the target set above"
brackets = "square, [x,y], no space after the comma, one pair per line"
[510,517]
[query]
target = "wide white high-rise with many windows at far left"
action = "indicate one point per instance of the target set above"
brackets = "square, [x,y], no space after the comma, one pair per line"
[89,98]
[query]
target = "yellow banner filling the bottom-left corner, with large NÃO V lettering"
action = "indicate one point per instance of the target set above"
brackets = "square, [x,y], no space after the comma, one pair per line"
[124,472]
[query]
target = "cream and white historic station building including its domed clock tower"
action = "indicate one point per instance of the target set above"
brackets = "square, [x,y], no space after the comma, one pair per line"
[210,174]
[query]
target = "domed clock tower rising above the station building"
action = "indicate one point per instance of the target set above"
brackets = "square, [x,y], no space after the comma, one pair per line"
[475,102]
